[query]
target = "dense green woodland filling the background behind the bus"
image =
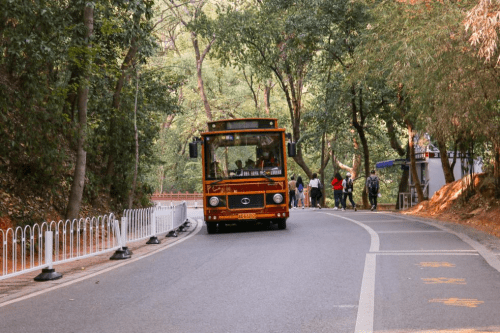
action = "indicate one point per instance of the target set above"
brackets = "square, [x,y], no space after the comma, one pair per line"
[128,84]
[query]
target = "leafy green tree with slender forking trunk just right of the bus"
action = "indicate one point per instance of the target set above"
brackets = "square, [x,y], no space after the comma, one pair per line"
[283,39]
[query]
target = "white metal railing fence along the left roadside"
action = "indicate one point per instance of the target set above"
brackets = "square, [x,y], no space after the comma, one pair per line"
[26,249]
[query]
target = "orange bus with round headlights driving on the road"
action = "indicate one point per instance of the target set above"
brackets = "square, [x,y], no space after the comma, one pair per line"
[244,172]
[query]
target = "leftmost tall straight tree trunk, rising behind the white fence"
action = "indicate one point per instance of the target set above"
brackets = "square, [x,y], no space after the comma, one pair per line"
[76,194]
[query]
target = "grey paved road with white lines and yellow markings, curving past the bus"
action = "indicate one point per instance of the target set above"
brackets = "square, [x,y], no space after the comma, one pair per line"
[329,271]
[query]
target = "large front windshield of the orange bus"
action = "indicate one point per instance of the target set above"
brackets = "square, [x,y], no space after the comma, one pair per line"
[244,155]
